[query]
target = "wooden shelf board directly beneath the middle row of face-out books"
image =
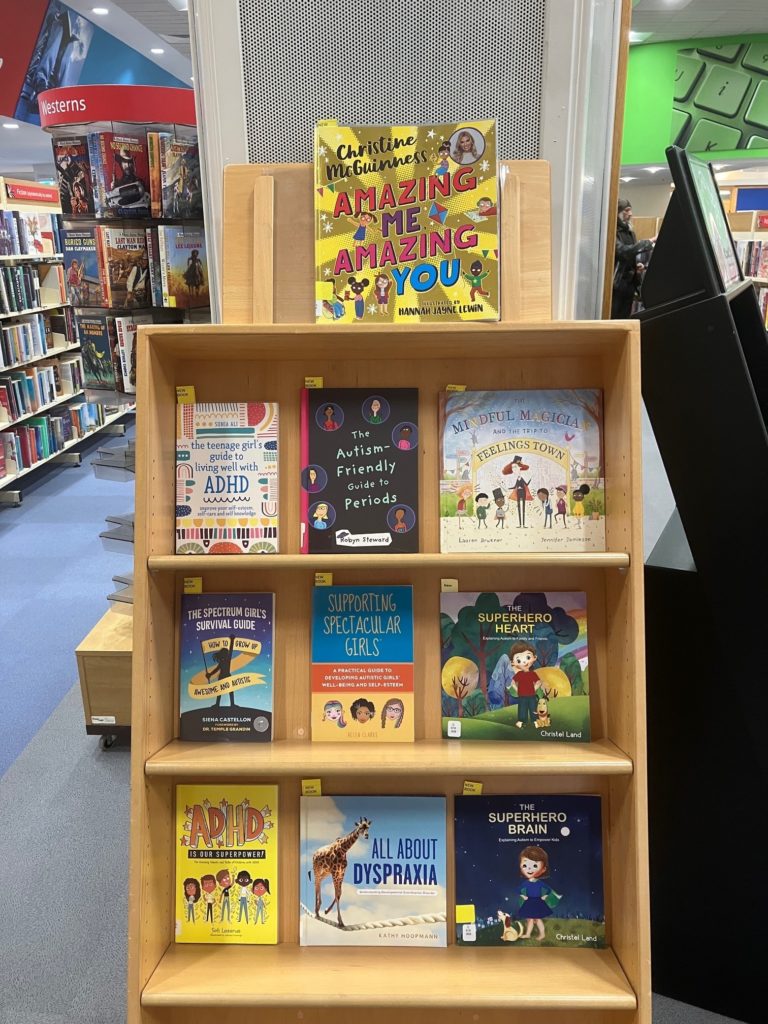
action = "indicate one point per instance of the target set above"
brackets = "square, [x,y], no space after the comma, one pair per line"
[435,757]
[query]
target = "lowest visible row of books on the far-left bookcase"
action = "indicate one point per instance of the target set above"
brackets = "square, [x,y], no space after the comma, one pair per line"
[39,439]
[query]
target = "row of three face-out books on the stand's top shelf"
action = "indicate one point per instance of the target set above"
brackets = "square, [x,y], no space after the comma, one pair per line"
[520,472]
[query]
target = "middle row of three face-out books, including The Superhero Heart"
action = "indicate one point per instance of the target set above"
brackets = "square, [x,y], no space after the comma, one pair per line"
[515,666]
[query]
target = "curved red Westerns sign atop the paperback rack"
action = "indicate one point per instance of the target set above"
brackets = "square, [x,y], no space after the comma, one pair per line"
[139,104]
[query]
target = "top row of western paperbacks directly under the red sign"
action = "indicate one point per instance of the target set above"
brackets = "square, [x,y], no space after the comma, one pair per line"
[136,175]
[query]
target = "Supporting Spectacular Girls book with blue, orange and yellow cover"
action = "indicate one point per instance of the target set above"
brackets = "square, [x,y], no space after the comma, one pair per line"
[363,664]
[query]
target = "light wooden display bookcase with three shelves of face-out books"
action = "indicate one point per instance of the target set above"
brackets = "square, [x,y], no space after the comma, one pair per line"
[172,985]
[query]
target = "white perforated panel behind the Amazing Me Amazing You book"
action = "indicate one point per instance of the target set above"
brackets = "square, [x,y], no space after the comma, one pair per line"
[390,63]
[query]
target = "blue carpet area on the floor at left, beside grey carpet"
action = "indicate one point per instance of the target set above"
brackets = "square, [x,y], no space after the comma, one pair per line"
[56,574]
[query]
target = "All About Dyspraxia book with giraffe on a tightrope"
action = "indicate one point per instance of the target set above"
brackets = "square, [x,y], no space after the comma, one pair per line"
[373,872]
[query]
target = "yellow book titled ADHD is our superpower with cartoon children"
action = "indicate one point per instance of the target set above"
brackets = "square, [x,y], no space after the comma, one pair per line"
[227,864]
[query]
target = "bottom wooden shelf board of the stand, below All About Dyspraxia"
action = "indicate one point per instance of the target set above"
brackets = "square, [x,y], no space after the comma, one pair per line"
[290,976]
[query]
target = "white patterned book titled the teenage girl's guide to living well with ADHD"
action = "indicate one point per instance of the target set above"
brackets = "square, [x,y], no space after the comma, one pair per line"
[227,479]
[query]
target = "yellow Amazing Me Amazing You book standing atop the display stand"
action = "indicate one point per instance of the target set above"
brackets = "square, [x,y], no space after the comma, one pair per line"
[407,223]
